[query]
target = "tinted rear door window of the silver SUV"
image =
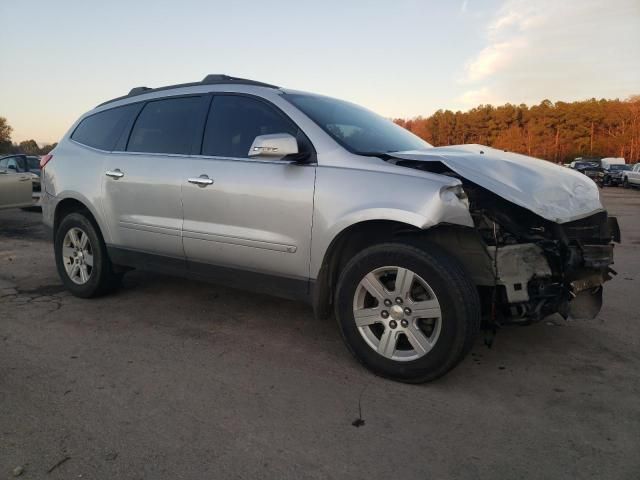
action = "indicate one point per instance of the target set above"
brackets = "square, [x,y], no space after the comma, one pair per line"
[166,126]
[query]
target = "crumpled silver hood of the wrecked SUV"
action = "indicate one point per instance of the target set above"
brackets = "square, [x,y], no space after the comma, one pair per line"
[554,192]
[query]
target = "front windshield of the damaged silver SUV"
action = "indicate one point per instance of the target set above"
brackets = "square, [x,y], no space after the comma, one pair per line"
[355,128]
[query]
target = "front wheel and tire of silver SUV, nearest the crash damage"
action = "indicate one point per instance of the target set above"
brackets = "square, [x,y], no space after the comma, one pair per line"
[446,282]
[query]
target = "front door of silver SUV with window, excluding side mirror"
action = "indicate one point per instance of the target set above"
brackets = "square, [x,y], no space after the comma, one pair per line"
[254,215]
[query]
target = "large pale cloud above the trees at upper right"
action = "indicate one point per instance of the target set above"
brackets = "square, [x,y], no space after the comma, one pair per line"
[561,50]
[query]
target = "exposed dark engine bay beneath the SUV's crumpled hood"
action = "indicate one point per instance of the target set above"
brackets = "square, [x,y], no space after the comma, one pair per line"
[528,267]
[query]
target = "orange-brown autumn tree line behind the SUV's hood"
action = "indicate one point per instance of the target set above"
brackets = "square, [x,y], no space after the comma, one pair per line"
[558,132]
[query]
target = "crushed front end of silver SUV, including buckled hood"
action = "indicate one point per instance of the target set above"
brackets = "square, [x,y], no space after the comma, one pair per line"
[542,242]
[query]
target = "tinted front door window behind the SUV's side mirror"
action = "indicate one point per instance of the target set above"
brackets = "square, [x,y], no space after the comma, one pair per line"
[235,121]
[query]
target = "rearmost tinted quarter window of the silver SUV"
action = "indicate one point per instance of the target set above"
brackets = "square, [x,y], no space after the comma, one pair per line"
[103,129]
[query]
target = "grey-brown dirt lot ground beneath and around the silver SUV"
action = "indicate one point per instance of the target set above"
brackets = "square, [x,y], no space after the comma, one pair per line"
[177,379]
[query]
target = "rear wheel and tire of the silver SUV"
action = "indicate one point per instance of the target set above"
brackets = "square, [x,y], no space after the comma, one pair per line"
[99,276]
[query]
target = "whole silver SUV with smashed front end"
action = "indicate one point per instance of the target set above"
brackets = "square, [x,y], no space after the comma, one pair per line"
[412,247]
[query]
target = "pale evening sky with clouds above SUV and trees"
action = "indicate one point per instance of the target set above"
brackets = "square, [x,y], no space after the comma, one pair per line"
[400,58]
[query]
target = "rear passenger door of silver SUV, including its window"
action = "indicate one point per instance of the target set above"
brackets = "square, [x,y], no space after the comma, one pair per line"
[142,182]
